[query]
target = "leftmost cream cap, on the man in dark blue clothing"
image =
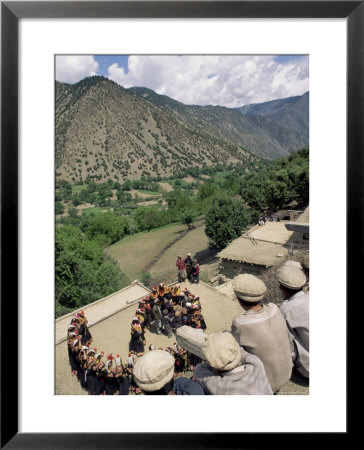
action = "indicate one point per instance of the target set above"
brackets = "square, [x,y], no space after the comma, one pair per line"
[153,370]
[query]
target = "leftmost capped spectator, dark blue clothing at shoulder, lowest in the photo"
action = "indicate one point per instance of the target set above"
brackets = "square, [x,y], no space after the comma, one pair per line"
[154,374]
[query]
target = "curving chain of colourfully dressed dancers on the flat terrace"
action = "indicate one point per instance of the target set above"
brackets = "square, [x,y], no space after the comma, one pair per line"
[163,311]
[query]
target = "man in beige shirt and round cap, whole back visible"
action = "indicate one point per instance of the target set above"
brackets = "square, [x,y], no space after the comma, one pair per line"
[261,330]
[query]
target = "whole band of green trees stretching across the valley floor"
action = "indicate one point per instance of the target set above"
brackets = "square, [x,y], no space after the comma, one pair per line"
[229,201]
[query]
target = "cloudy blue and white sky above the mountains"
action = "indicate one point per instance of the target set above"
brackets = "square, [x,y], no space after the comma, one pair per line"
[225,80]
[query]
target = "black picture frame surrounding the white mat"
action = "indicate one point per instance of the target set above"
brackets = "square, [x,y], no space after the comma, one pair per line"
[11,12]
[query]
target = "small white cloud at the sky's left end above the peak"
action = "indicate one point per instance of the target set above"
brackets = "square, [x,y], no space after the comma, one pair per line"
[73,68]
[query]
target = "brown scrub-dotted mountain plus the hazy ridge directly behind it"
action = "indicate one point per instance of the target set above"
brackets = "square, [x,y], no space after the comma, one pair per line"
[106,131]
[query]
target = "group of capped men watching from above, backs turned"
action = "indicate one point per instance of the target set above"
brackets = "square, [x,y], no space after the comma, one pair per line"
[257,357]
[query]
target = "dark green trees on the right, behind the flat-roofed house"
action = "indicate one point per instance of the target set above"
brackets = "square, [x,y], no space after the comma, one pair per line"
[238,202]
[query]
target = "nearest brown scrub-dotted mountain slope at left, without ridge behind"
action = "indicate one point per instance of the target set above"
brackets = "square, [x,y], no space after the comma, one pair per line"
[103,130]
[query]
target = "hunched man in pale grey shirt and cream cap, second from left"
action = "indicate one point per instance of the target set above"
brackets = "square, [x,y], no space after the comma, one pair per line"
[230,370]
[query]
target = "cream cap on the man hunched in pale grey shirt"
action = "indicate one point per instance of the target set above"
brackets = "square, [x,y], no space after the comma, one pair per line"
[222,351]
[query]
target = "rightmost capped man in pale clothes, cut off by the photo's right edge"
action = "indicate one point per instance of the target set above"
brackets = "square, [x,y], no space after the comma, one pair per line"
[295,309]
